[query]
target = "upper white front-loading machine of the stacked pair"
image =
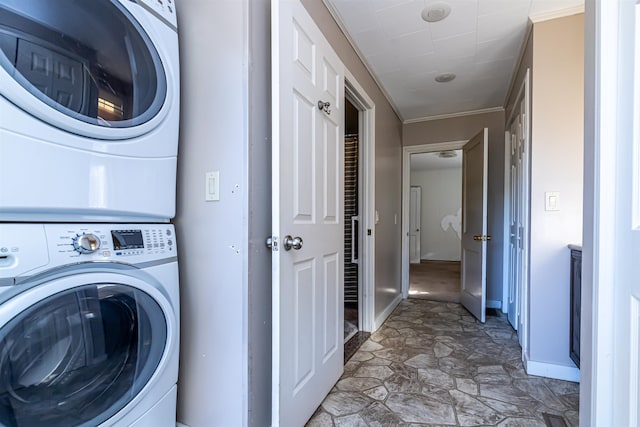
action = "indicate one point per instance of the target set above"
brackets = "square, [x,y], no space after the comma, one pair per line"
[89,110]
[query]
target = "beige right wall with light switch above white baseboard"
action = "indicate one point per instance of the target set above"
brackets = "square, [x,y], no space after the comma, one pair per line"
[557,142]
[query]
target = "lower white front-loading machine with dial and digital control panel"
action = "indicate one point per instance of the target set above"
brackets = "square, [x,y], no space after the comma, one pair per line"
[89,325]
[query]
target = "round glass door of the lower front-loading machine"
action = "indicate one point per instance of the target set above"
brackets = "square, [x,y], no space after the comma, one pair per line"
[79,356]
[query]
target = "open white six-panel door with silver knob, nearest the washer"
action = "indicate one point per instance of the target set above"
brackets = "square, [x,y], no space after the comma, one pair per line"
[308,224]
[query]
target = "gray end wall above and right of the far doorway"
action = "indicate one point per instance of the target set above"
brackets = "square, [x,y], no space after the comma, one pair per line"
[461,129]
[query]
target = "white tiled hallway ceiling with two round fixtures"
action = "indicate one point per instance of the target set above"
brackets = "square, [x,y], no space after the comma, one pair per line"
[479,41]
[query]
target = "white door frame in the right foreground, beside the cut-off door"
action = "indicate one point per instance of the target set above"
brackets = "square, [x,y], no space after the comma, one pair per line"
[603,97]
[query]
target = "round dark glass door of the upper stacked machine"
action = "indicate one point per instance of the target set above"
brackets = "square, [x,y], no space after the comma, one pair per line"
[87,67]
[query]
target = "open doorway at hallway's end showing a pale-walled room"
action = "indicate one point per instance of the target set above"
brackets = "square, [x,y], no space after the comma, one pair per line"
[435,216]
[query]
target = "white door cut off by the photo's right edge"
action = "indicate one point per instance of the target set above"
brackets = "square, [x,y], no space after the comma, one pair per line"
[626,286]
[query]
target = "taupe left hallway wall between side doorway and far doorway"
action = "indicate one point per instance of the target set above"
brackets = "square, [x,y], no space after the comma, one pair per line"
[388,149]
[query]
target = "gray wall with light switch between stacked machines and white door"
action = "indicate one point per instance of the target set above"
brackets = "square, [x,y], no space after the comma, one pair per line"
[225,270]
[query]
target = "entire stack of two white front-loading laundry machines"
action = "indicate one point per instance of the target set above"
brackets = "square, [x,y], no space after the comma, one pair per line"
[89,299]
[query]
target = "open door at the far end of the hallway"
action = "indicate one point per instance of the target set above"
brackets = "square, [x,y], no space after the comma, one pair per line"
[474,224]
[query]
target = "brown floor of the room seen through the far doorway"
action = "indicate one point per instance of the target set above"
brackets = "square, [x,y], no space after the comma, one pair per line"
[435,280]
